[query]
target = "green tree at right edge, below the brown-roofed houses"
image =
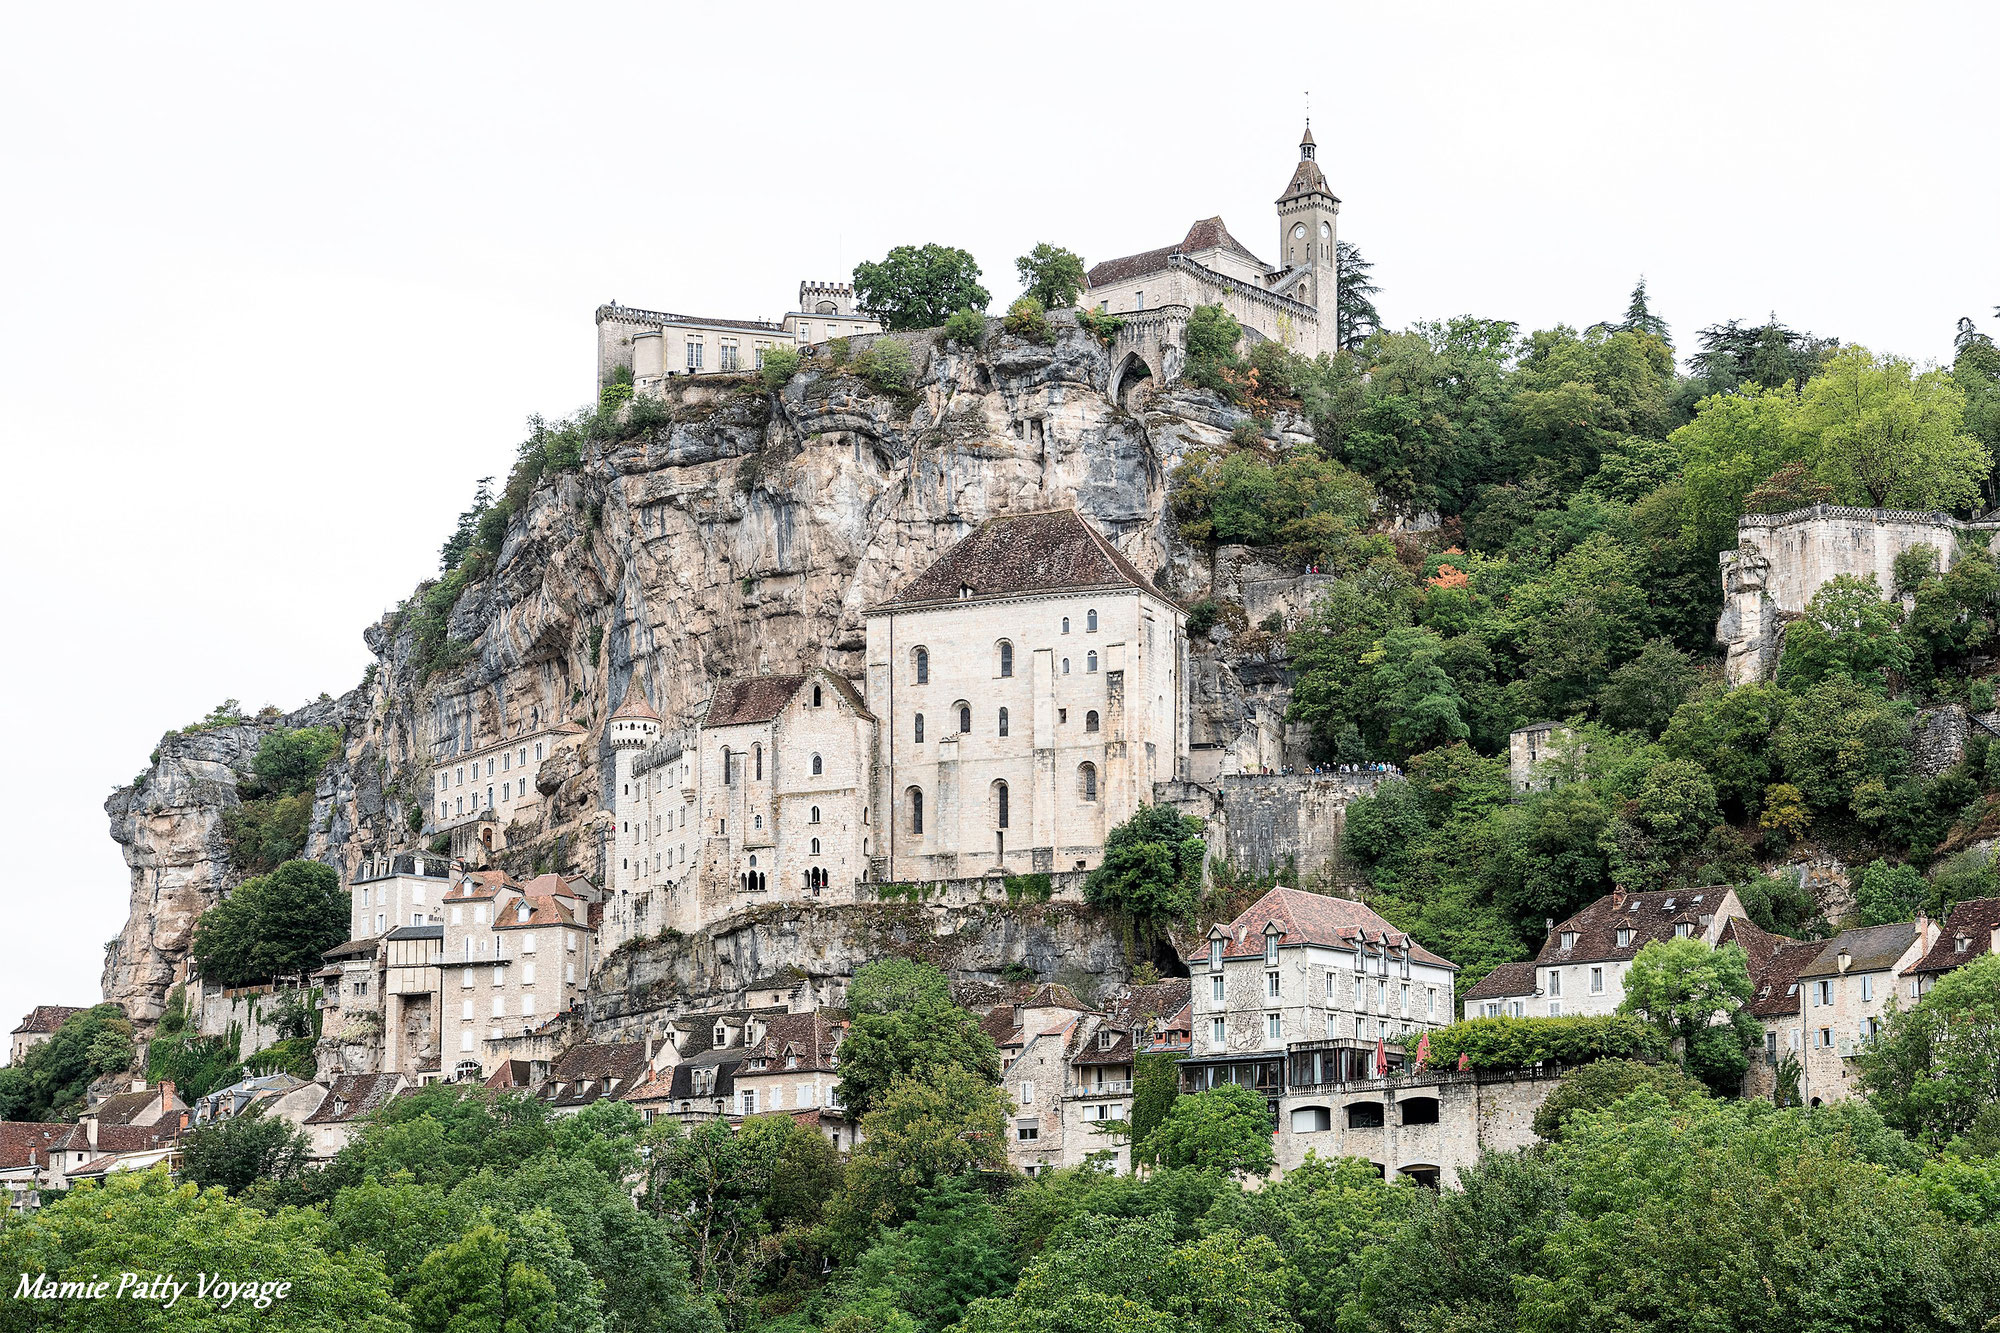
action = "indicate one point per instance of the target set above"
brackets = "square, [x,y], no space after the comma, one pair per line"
[1935,1068]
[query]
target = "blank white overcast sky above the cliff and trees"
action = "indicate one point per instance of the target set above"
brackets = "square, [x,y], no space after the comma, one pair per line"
[279,283]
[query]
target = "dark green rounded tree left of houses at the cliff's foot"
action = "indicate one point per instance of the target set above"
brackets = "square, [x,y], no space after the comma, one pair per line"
[273,926]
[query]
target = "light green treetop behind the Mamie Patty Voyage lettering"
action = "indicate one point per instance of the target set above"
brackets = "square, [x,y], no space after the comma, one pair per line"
[139,1222]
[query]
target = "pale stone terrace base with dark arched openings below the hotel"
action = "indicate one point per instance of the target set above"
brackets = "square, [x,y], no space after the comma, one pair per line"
[1377,1120]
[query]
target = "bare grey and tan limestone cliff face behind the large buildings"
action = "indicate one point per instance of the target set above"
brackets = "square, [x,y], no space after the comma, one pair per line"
[741,537]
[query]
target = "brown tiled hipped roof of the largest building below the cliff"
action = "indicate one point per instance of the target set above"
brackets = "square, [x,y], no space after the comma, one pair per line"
[1051,551]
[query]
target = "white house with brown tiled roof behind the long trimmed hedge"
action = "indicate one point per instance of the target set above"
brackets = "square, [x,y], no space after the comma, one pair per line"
[1585,960]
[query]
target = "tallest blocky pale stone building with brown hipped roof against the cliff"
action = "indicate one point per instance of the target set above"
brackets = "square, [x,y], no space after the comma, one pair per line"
[1031,692]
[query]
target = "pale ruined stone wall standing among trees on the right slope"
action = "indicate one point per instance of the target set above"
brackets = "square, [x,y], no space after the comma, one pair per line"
[1783,559]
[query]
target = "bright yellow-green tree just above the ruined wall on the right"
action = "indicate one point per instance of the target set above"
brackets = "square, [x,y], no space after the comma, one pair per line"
[1887,435]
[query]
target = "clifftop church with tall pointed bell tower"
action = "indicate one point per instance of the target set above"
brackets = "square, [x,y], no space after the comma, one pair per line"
[1291,301]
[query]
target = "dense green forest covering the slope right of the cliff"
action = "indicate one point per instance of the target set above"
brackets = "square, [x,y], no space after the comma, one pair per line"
[1571,495]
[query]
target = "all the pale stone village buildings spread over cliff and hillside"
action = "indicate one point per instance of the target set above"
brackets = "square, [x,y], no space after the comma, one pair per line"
[1021,698]
